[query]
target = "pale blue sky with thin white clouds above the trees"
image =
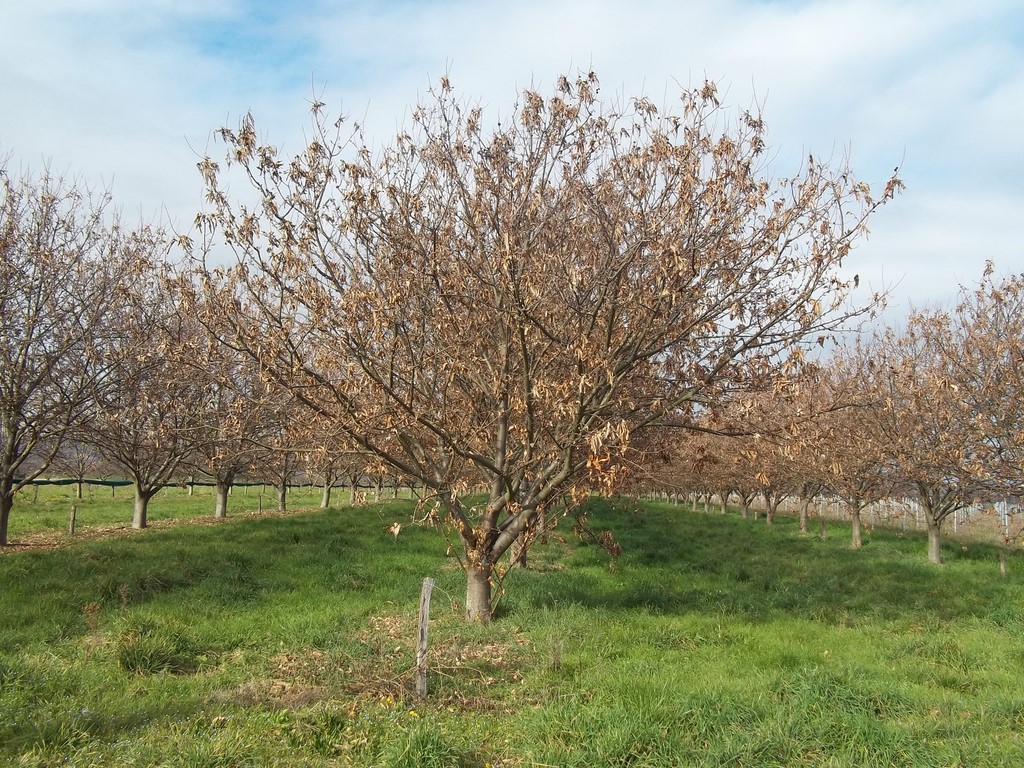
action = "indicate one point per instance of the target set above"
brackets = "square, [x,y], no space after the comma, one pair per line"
[127,95]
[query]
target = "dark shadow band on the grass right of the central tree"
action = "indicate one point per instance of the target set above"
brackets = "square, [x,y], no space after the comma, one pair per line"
[676,562]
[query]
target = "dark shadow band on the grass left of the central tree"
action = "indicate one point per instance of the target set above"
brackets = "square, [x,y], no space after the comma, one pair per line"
[241,568]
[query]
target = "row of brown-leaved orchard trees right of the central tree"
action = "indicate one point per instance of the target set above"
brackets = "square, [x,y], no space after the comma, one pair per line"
[929,411]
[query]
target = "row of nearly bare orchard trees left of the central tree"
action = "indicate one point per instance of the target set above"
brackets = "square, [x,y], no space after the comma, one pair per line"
[105,363]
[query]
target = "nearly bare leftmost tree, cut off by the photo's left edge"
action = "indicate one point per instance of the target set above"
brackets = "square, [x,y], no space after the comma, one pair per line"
[58,269]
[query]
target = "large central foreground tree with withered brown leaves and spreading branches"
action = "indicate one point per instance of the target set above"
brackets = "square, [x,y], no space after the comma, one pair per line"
[506,305]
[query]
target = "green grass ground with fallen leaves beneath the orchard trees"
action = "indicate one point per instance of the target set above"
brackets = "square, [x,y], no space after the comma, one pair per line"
[711,642]
